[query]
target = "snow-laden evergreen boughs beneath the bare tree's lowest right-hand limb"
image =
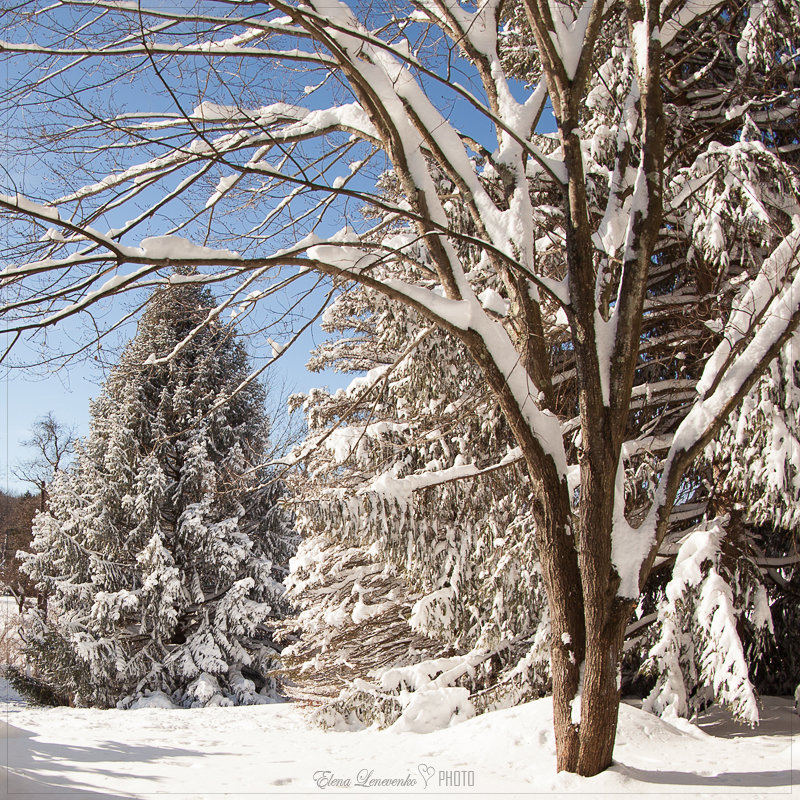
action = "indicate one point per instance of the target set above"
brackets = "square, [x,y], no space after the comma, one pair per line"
[728,616]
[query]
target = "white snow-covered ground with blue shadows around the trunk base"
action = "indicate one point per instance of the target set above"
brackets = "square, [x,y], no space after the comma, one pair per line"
[263,750]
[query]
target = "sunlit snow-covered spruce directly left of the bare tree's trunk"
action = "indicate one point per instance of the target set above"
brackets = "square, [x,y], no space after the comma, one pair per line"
[411,554]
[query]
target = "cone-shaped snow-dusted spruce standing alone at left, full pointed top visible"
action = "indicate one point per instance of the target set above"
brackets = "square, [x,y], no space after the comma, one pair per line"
[161,549]
